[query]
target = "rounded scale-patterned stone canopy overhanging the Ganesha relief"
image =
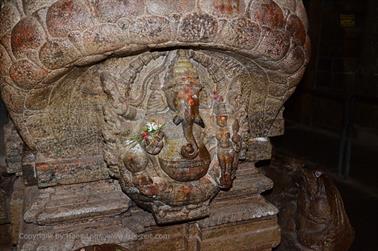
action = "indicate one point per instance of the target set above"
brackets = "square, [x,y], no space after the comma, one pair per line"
[42,41]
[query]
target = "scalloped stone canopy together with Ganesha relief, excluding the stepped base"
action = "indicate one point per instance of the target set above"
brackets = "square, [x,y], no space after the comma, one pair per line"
[165,96]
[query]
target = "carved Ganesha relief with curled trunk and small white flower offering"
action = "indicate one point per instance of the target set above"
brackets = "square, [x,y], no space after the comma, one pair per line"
[171,147]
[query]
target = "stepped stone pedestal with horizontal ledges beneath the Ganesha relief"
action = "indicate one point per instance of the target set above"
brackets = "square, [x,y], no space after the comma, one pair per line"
[76,216]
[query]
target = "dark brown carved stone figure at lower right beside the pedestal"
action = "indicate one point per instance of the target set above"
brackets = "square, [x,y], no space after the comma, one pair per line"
[312,211]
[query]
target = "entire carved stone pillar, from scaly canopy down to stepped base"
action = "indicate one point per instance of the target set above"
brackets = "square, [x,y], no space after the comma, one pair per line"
[141,121]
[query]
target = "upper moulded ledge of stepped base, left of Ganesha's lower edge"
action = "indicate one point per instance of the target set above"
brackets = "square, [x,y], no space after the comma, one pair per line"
[75,202]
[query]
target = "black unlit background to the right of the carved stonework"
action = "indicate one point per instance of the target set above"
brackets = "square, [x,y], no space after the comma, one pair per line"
[336,103]
